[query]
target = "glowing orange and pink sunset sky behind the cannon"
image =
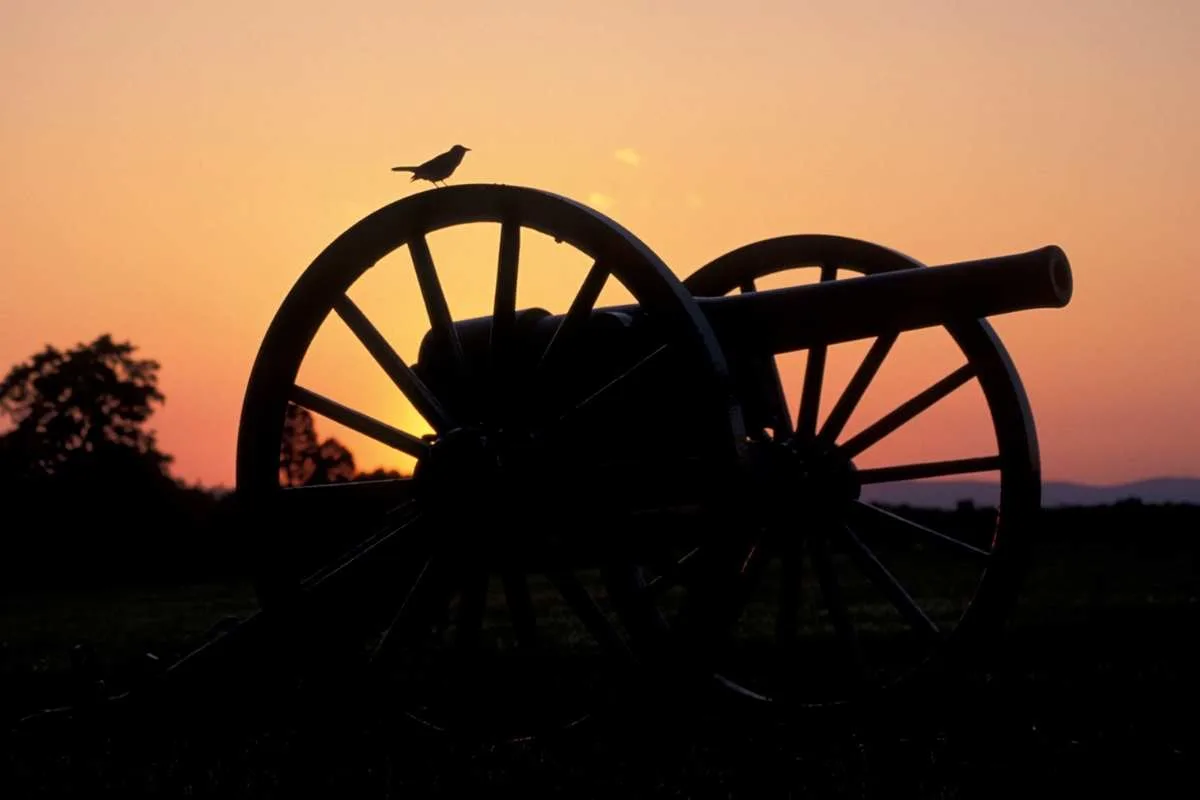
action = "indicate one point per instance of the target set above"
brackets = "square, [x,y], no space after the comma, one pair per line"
[170,169]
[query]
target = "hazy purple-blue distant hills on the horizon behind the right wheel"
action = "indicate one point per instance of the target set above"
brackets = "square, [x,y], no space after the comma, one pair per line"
[946,495]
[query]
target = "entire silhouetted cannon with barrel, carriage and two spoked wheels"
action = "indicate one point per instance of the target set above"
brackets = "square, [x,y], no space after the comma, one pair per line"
[631,479]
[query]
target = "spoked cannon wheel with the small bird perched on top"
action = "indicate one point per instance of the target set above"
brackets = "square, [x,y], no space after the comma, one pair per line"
[507,491]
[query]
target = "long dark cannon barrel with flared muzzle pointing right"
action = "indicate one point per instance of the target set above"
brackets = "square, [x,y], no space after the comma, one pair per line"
[781,321]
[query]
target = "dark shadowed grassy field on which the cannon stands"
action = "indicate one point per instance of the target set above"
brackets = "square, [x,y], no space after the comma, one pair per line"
[1094,688]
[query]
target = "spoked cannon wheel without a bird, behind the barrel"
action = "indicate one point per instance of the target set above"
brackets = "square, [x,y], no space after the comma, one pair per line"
[796,596]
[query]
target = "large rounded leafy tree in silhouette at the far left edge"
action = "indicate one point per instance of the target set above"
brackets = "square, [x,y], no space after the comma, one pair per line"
[82,407]
